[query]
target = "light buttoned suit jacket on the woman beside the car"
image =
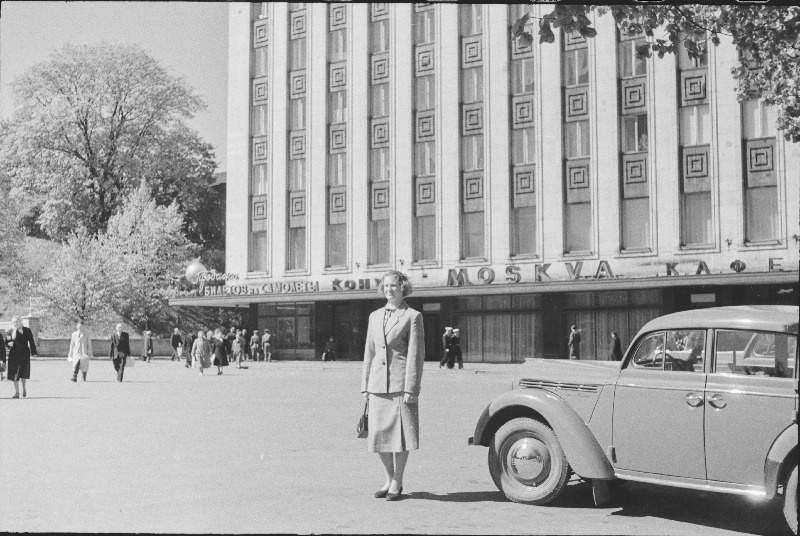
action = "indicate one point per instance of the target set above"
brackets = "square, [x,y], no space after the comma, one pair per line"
[393,364]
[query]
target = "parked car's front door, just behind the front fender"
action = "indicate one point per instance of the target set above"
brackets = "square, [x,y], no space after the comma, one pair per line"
[658,413]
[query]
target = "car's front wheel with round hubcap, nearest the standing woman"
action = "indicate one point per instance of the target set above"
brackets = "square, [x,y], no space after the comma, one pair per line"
[527,463]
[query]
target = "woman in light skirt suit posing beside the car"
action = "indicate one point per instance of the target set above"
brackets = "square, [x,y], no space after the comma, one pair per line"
[391,377]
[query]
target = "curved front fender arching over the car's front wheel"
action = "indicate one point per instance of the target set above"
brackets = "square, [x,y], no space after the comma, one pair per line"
[579,444]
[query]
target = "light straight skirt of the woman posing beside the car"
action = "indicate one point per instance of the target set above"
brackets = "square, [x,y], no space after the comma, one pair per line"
[393,424]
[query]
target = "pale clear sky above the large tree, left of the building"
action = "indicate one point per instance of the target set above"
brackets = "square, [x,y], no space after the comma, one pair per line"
[190,39]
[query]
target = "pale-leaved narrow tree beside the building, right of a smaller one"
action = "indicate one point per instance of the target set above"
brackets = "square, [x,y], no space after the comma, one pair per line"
[149,252]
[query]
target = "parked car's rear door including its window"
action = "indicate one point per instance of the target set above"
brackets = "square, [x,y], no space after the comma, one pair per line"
[750,399]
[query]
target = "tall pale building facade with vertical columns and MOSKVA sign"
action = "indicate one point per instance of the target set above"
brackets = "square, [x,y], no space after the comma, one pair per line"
[522,189]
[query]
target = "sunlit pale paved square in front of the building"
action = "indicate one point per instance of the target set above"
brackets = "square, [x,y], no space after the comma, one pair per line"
[273,449]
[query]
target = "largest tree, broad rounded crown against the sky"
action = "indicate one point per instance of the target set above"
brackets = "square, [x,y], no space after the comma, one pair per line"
[93,122]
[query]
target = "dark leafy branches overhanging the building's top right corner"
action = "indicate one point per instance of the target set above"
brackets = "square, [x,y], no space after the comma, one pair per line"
[767,37]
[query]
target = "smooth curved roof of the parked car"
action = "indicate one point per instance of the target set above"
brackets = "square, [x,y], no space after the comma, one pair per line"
[754,317]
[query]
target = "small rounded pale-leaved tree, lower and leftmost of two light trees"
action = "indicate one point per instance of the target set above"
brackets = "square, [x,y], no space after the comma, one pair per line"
[79,283]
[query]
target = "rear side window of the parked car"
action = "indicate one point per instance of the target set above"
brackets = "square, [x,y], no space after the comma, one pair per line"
[755,353]
